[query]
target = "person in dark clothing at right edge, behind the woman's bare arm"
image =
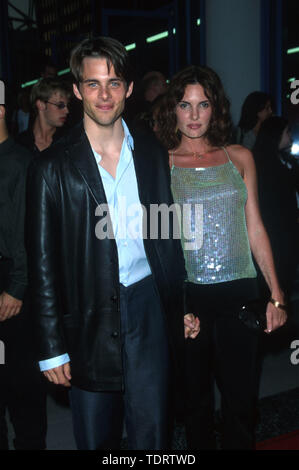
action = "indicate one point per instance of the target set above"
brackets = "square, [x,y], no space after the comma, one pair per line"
[278,176]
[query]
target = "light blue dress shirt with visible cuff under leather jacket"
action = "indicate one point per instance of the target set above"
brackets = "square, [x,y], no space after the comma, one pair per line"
[126,214]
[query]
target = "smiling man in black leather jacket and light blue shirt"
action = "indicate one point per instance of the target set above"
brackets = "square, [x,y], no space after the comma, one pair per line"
[105,300]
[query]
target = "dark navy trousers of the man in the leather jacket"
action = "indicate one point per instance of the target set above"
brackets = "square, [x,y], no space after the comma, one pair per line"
[98,417]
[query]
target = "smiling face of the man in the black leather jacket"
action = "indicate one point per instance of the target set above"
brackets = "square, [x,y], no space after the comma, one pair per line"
[103,93]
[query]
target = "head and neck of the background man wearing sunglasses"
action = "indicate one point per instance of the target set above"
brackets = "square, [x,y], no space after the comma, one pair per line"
[49,99]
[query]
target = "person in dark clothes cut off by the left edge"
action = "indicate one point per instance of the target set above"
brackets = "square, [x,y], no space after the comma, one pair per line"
[22,392]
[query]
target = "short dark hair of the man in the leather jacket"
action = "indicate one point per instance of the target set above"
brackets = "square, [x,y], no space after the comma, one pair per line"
[102,47]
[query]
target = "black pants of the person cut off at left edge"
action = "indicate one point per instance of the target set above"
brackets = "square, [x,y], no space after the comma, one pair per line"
[22,386]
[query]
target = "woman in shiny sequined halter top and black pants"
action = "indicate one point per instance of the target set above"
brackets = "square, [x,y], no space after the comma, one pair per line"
[220,179]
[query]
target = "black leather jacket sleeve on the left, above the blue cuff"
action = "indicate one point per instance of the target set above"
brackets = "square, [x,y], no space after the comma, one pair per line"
[42,242]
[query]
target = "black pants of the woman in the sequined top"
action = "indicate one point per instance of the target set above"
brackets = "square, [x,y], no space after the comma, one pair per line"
[227,351]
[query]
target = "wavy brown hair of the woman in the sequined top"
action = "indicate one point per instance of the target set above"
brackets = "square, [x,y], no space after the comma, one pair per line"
[220,128]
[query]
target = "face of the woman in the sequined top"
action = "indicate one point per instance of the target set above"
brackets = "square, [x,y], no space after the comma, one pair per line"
[193,112]
